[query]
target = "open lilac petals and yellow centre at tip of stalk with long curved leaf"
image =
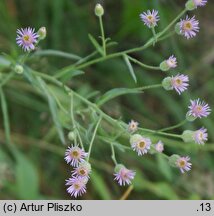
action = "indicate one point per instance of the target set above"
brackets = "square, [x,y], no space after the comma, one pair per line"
[180,83]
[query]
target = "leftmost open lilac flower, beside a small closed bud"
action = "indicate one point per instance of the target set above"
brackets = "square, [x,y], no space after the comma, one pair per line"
[26,38]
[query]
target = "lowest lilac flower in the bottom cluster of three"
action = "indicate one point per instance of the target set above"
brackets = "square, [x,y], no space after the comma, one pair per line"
[77,186]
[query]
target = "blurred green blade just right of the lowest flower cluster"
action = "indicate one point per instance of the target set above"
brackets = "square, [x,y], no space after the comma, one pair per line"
[100,186]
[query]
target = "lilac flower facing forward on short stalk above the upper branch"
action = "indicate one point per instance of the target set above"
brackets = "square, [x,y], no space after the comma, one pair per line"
[150,18]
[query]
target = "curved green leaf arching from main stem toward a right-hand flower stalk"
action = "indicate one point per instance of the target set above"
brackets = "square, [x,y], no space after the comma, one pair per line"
[115,93]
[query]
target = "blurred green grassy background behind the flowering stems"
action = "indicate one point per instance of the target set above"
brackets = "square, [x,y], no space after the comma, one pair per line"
[40,171]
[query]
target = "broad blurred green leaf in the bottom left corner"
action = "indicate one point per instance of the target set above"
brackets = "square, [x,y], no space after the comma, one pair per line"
[27,181]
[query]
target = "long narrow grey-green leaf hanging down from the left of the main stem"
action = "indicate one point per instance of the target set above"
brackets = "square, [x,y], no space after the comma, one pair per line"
[53,109]
